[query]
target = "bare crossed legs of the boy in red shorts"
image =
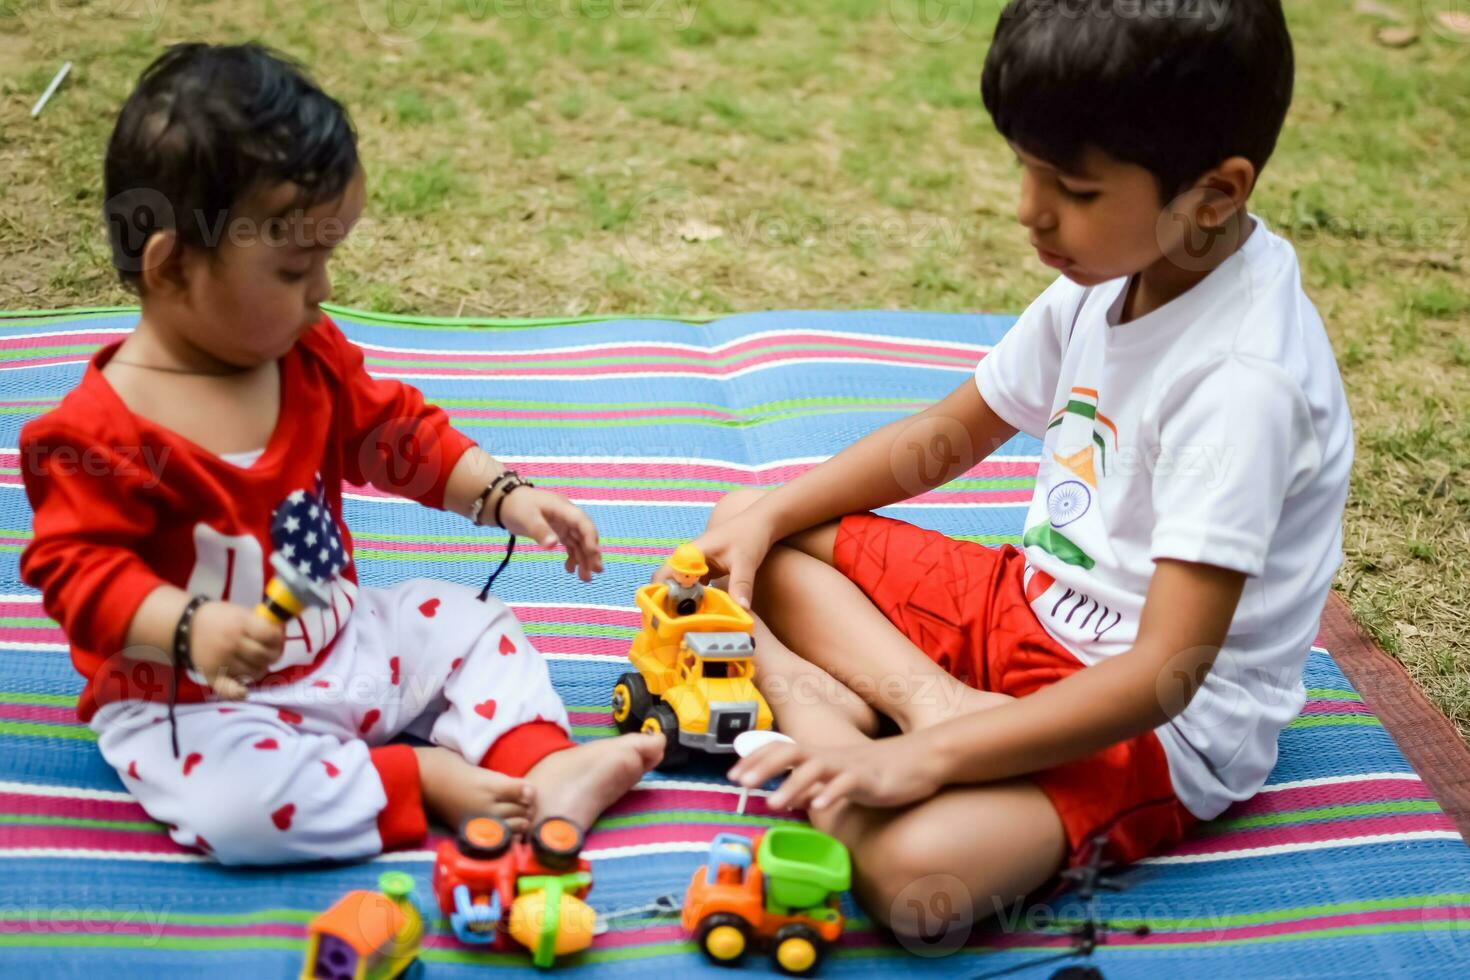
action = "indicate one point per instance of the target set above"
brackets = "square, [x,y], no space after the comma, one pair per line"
[965,854]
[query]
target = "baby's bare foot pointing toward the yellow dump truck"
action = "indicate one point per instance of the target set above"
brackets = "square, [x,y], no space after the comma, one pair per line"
[583,782]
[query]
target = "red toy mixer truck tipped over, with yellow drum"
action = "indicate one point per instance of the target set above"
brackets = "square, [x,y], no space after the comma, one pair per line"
[496,888]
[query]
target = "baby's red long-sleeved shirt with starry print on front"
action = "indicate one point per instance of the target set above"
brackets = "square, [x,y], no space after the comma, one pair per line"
[124,506]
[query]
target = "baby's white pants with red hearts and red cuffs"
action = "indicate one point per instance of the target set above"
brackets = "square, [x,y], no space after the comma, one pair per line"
[304,772]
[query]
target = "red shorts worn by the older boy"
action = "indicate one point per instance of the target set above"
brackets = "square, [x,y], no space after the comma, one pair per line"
[965,606]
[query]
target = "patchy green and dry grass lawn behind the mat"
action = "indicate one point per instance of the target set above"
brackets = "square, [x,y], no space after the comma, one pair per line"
[533,158]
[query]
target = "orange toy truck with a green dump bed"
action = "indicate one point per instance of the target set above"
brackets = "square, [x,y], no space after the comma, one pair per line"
[780,893]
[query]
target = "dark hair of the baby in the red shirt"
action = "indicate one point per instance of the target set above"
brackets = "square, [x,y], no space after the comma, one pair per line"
[207,127]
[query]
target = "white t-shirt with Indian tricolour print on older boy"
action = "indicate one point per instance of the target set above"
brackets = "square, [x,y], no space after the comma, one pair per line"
[1213,430]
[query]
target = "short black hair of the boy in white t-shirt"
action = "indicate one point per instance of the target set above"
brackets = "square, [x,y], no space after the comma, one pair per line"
[1172,86]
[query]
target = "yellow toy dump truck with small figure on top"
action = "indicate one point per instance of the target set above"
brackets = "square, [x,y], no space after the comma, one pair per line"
[696,674]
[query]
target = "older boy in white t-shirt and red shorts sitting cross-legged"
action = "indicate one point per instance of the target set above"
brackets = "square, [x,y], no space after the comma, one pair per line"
[1127,674]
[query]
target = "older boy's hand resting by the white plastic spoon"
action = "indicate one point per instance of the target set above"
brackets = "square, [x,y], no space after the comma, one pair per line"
[884,774]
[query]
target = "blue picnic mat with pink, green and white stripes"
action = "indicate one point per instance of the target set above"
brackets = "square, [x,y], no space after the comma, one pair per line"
[1343,866]
